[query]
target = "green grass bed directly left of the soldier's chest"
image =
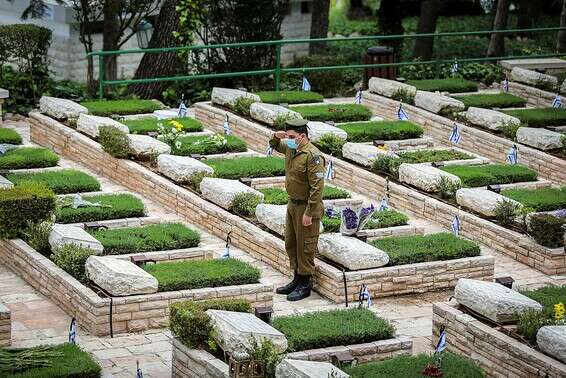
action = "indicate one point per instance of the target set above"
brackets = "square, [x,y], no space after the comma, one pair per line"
[249,167]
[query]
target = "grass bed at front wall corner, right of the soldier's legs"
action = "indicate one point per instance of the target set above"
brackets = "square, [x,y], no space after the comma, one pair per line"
[423,248]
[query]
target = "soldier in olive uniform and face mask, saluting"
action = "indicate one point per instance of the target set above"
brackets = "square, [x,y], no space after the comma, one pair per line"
[304,182]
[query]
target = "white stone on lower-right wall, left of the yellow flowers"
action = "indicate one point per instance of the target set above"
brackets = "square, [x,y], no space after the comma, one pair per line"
[493,300]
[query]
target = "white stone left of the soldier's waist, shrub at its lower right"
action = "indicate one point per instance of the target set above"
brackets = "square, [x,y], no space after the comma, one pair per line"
[222,192]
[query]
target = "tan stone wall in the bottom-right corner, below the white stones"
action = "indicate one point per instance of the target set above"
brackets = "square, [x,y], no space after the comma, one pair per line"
[499,355]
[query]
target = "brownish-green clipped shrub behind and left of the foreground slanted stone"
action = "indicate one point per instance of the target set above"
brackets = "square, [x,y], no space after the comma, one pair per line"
[191,325]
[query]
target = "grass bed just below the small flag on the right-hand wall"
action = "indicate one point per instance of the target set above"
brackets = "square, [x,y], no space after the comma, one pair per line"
[482,175]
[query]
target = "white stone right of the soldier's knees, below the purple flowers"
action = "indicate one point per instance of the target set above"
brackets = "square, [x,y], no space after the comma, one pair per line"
[350,252]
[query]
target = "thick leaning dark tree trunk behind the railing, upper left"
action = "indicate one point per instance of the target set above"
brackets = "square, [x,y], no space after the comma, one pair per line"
[162,64]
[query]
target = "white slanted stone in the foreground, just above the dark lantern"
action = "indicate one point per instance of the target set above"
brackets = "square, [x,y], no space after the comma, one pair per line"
[234,331]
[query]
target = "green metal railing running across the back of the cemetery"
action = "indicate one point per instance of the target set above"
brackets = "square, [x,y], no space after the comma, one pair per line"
[278,69]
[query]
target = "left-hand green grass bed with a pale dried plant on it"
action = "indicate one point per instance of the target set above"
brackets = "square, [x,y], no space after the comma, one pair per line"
[122,206]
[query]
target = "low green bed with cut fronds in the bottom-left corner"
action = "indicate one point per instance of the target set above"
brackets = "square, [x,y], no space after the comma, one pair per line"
[66,360]
